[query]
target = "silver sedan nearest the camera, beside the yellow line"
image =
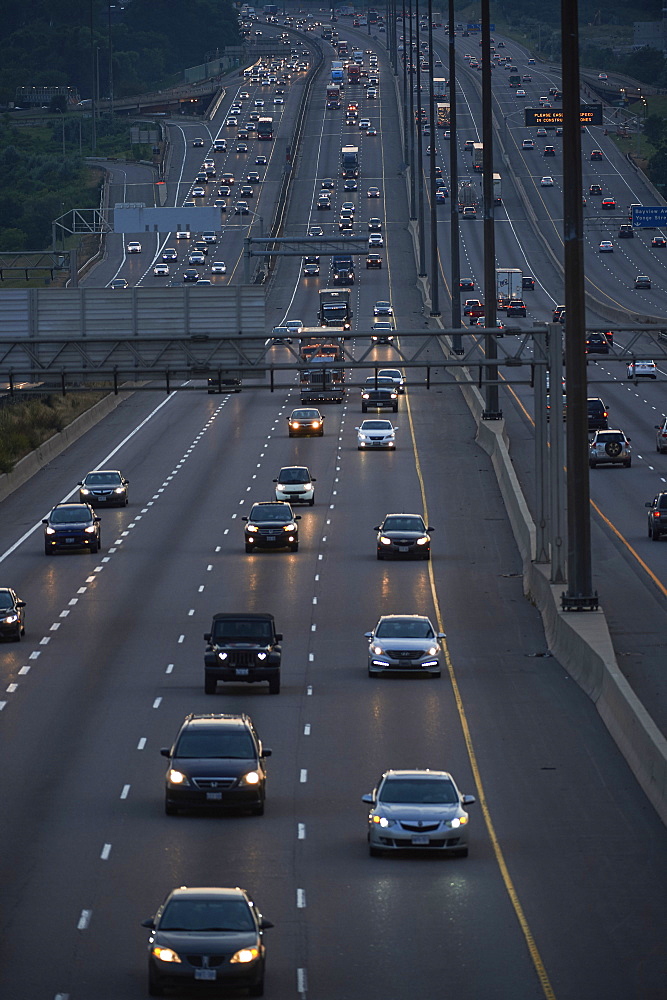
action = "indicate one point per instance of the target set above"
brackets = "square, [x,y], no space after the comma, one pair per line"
[419,810]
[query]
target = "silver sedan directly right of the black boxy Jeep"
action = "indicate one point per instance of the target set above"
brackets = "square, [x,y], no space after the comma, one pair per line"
[404,643]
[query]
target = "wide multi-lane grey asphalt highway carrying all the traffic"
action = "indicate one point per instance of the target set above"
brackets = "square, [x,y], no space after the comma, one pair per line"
[562,895]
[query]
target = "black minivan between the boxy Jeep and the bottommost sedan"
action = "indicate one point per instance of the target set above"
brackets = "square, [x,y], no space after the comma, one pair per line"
[215,761]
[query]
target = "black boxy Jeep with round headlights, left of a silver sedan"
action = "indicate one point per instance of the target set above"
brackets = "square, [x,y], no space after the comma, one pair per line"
[243,647]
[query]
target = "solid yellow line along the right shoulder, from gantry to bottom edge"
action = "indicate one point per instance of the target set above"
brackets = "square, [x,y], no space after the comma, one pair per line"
[533,950]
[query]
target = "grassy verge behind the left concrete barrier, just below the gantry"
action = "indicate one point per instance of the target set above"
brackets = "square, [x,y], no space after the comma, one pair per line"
[25,426]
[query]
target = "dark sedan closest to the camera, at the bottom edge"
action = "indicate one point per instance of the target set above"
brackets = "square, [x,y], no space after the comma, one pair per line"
[206,935]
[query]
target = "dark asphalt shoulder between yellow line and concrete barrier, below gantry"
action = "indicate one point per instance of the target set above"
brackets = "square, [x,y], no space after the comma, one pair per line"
[550,721]
